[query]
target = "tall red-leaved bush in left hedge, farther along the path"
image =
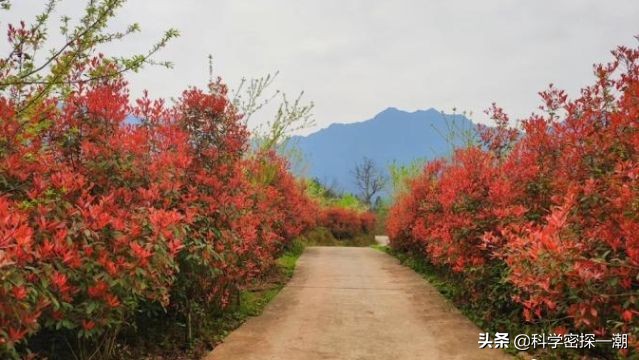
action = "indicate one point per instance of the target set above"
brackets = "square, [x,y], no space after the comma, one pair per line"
[242,208]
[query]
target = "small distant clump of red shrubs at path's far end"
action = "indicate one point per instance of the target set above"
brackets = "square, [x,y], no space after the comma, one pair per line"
[345,223]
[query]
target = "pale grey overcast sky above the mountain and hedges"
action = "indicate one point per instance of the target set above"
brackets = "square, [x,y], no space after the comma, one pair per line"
[355,58]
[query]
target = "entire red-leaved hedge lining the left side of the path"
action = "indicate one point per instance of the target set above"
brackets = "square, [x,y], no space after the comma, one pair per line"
[100,218]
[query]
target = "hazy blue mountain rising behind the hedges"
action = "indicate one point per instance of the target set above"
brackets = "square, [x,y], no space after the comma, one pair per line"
[393,135]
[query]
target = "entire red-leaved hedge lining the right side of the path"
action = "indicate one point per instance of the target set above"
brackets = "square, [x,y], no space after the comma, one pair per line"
[551,211]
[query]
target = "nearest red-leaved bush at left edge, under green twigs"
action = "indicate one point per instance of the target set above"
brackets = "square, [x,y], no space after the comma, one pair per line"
[80,245]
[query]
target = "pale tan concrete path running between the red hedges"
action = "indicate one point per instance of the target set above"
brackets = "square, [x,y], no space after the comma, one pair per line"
[355,303]
